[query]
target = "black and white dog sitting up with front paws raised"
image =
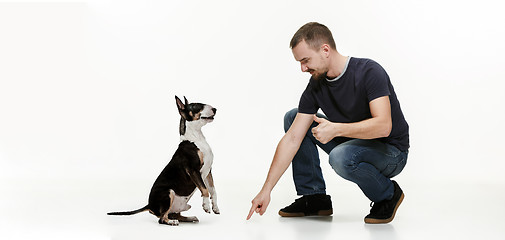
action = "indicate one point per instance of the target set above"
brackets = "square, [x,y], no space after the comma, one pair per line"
[188,170]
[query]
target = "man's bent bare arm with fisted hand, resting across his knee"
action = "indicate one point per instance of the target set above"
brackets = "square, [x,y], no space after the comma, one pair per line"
[376,127]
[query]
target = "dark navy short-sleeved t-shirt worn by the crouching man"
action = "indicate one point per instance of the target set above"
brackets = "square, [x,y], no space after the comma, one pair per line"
[346,99]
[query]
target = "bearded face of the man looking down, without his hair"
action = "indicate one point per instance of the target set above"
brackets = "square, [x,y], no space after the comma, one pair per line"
[311,61]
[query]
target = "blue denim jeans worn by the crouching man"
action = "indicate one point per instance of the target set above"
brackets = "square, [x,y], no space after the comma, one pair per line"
[368,163]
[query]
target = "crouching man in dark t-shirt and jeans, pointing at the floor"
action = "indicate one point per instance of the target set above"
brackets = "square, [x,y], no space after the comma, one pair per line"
[364,131]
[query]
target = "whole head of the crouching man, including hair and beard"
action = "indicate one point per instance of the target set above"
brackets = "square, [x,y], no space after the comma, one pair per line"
[311,46]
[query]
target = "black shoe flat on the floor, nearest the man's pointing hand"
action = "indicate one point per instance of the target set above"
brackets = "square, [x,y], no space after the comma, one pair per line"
[309,205]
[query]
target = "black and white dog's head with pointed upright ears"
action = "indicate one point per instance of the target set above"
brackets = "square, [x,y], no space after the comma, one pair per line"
[196,114]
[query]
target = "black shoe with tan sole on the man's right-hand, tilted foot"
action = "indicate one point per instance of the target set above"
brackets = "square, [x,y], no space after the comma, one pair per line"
[384,211]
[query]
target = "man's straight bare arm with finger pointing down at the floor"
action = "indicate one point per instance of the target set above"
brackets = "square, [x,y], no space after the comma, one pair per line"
[286,150]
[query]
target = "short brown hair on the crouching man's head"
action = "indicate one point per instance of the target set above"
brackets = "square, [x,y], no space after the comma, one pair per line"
[314,34]
